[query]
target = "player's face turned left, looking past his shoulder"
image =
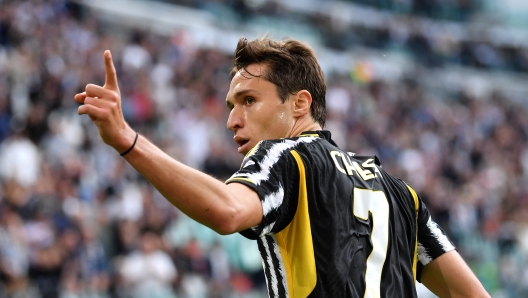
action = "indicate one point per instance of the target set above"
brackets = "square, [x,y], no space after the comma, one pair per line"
[257,112]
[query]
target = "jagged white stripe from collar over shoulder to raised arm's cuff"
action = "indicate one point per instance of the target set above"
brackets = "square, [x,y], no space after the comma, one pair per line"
[274,153]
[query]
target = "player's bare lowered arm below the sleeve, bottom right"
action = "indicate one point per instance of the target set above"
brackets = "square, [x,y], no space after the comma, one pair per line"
[449,276]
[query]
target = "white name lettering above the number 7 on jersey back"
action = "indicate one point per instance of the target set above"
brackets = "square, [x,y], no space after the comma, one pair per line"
[346,166]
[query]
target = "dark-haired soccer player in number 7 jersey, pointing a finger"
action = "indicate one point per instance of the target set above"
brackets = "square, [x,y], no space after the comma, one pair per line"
[328,223]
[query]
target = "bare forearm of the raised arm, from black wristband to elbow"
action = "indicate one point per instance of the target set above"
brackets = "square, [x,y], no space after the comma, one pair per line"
[197,194]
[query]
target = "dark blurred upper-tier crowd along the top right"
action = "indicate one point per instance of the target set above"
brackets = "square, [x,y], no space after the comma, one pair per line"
[433,44]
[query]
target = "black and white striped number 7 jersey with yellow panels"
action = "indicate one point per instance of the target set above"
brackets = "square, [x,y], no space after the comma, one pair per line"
[336,224]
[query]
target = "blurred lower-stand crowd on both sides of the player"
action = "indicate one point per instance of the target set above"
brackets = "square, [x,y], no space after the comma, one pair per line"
[77,221]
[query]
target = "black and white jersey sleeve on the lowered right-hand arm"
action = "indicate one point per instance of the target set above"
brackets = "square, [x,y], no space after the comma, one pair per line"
[432,240]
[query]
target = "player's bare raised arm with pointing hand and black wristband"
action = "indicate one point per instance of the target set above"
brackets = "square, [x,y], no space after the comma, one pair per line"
[224,208]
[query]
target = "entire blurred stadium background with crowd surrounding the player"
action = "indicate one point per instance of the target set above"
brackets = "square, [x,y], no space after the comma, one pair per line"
[437,89]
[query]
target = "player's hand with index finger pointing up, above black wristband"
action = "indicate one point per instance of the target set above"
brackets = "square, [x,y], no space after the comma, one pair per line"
[103,105]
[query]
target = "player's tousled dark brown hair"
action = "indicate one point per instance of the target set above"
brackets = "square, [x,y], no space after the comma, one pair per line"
[292,67]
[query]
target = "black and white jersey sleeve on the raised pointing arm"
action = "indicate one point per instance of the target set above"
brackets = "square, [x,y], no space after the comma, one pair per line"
[271,171]
